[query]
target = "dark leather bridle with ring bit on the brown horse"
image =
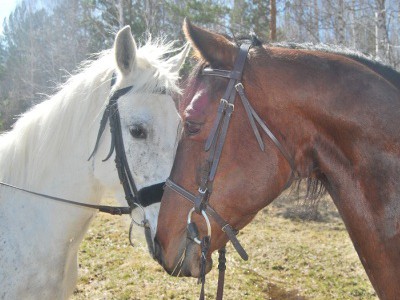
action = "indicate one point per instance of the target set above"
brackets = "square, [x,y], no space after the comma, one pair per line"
[214,146]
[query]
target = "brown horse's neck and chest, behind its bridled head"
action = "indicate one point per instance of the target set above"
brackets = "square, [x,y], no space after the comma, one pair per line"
[340,120]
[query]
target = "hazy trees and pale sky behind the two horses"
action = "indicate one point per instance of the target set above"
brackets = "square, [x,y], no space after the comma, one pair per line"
[43,41]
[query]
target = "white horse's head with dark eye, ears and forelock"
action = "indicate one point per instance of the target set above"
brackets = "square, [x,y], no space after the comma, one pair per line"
[149,121]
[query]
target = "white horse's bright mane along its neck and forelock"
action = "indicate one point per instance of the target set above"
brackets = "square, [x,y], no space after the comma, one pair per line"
[52,126]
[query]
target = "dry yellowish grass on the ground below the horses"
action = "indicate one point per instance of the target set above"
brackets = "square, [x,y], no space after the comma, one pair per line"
[289,259]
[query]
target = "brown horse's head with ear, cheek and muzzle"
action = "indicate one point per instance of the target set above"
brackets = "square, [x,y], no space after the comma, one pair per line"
[247,178]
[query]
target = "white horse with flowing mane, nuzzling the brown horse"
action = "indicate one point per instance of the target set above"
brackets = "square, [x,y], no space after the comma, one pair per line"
[47,151]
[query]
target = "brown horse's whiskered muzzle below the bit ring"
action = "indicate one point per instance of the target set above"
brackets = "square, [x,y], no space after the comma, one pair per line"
[183,262]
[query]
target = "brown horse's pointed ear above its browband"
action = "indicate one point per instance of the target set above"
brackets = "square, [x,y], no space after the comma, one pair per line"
[213,48]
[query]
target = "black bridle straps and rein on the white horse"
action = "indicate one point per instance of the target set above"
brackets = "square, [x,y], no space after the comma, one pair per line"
[111,114]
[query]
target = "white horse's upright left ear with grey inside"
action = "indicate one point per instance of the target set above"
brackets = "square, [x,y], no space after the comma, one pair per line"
[125,50]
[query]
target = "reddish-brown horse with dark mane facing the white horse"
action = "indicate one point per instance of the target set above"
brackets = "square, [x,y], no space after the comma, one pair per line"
[335,118]
